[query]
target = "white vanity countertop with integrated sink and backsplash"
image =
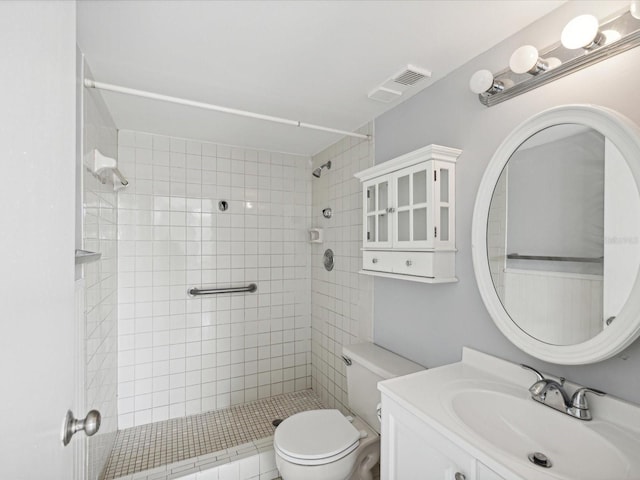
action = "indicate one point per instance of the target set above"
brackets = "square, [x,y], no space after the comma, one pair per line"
[482,404]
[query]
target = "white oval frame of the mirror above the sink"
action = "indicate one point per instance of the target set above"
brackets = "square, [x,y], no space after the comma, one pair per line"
[626,327]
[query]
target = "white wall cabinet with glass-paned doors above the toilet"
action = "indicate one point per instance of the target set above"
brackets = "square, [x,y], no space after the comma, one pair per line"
[409,216]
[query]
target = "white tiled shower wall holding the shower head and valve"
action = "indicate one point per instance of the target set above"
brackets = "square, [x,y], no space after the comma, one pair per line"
[342,299]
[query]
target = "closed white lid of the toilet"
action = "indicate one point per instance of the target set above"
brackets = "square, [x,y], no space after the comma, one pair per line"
[316,435]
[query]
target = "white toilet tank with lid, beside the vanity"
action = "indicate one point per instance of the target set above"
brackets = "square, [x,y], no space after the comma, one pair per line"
[371,364]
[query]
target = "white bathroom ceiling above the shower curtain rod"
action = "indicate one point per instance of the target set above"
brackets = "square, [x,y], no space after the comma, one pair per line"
[312,61]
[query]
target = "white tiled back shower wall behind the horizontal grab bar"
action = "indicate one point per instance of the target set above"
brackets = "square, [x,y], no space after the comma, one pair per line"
[180,355]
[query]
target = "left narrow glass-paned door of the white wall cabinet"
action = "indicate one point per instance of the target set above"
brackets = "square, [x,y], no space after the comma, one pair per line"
[377,226]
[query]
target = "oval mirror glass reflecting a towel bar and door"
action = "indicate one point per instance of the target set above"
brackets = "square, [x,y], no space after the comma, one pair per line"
[557,230]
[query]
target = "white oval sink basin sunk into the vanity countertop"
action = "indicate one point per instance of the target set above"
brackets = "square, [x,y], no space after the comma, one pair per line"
[520,426]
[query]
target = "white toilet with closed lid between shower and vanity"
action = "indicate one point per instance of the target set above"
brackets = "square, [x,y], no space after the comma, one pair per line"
[326,445]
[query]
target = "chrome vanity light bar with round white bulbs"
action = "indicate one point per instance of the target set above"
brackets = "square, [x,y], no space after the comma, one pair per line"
[584,42]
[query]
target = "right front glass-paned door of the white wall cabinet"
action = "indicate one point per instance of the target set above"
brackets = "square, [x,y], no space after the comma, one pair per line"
[414,222]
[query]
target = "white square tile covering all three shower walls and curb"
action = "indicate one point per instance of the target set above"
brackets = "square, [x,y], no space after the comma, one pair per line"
[170,357]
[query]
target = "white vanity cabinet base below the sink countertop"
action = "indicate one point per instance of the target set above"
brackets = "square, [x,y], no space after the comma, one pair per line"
[413,450]
